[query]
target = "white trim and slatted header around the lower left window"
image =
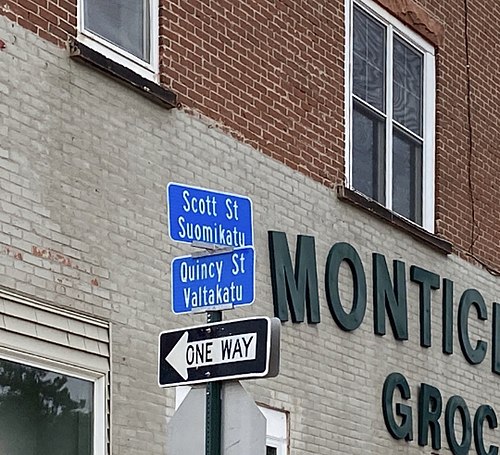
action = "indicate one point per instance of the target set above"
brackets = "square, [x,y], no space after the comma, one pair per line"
[47,349]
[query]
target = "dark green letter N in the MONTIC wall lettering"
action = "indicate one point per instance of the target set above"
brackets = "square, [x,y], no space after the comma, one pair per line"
[387,298]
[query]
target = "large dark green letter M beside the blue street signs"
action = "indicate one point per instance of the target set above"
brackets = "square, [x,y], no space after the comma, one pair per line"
[294,291]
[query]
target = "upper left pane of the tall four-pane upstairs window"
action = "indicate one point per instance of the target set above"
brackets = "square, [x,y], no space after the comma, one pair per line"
[368,60]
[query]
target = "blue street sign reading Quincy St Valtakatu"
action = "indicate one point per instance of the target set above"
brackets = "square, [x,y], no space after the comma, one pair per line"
[204,283]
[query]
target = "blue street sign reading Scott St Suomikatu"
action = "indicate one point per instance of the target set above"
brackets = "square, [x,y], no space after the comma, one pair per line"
[200,215]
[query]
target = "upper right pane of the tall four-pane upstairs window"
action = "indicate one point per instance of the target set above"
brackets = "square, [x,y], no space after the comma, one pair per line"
[408,86]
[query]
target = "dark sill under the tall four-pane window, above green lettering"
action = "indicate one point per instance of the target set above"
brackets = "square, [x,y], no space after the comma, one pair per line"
[369,205]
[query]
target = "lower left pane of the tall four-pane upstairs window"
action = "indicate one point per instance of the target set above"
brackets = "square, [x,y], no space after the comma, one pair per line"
[368,162]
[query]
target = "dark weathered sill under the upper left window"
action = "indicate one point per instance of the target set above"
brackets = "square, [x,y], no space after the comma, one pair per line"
[151,90]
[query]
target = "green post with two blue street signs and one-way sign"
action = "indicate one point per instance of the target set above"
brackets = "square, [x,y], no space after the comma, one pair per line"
[220,278]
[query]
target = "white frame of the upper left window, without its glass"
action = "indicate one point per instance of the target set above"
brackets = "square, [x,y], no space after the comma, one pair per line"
[144,69]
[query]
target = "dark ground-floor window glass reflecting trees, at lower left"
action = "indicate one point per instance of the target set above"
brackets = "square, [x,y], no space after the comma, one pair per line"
[42,412]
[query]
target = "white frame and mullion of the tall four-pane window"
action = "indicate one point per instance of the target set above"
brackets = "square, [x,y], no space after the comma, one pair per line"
[428,110]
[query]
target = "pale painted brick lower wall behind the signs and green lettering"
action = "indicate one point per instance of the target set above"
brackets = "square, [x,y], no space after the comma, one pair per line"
[84,163]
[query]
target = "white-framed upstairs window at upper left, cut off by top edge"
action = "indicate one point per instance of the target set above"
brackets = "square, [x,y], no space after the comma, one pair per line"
[122,30]
